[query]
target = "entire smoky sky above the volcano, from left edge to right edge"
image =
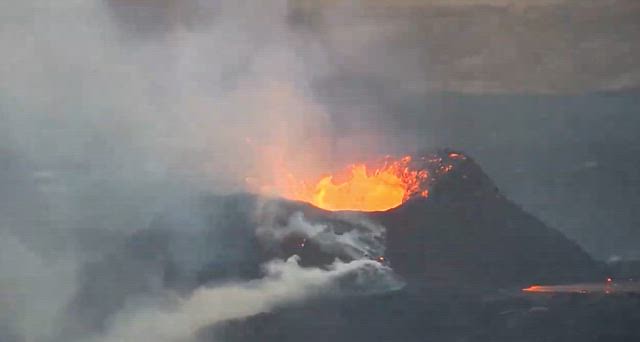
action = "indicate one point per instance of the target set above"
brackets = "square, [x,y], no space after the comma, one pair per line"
[113,110]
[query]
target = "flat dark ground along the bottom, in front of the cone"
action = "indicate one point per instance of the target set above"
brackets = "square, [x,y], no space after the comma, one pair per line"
[443,317]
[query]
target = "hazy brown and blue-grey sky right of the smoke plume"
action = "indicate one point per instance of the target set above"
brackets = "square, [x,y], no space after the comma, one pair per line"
[542,93]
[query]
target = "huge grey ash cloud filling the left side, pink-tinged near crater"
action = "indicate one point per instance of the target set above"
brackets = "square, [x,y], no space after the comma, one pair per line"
[107,120]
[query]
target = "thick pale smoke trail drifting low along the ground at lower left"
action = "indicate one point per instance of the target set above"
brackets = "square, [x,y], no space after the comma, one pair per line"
[284,282]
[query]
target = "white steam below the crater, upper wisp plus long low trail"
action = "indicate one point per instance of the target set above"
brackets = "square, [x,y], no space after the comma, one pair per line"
[284,282]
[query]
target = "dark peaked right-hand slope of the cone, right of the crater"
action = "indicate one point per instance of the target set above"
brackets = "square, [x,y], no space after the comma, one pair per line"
[466,233]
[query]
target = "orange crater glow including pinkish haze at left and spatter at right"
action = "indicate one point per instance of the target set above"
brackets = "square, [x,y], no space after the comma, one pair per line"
[359,186]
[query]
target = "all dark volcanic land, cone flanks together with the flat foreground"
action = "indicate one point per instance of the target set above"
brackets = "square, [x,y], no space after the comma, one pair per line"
[463,253]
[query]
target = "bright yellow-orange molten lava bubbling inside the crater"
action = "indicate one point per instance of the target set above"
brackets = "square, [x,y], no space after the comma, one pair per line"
[361,189]
